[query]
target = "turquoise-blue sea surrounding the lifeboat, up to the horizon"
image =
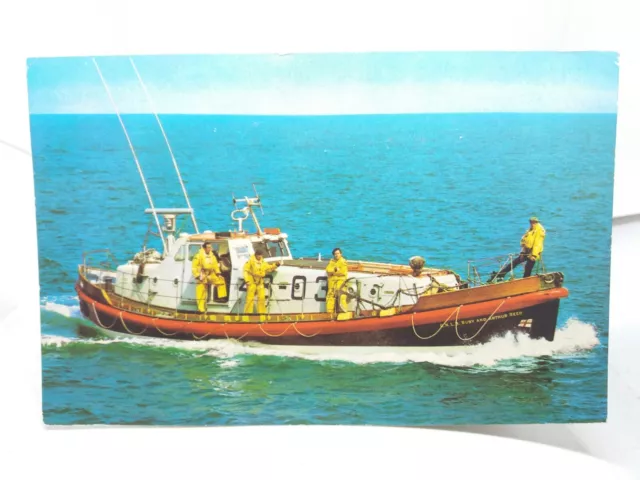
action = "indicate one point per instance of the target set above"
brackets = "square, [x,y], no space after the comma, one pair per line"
[449,187]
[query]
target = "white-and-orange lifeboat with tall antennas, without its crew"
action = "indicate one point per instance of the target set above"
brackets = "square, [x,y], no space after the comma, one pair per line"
[387,305]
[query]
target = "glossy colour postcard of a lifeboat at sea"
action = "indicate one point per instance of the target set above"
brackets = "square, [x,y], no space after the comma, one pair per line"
[398,239]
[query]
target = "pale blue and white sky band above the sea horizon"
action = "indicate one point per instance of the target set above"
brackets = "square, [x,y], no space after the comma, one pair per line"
[329,84]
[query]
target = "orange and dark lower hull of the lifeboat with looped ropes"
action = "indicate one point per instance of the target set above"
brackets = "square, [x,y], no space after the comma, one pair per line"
[534,314]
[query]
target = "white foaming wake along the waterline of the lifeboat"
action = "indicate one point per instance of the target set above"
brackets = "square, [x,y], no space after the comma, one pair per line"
[500,353]
